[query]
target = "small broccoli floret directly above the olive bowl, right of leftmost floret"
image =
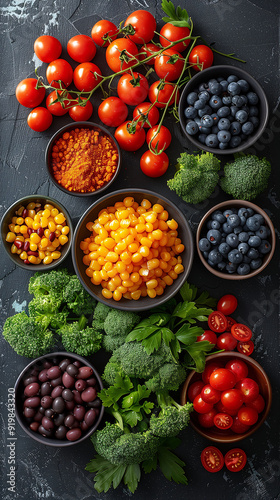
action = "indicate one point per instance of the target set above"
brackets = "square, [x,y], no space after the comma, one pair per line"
[78,338]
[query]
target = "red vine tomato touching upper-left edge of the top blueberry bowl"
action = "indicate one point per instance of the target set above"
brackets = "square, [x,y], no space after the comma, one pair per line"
[169,65]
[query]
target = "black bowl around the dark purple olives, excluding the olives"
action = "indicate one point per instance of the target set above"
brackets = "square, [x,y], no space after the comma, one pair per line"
[19,398]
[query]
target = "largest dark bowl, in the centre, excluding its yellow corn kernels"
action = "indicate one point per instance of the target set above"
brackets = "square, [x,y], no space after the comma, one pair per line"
[81,232]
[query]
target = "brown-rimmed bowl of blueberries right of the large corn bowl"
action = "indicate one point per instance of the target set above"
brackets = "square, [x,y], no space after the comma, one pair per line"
[235,240]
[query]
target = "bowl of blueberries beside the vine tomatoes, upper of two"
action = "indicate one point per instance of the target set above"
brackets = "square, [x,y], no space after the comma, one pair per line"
[223,110]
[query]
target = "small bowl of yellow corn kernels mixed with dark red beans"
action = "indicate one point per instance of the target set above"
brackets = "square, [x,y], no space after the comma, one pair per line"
[37,232]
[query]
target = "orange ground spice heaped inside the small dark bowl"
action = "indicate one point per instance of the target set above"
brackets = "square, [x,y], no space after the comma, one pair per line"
[83,160]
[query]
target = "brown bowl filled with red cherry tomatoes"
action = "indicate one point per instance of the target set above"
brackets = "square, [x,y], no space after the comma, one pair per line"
[231,398]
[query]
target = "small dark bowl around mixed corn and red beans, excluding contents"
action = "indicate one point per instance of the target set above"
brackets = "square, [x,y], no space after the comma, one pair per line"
[7,218]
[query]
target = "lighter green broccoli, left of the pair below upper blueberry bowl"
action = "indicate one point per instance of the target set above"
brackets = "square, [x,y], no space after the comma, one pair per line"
[196,177]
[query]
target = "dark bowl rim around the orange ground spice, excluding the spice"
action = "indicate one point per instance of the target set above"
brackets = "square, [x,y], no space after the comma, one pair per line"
[68,128]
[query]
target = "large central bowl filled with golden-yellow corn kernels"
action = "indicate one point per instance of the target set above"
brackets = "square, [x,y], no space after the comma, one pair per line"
[132,249]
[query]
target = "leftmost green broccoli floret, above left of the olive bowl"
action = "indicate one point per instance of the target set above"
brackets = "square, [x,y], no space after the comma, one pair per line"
[27,336]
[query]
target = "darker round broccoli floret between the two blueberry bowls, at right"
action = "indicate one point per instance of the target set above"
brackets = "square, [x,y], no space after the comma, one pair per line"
[246,177]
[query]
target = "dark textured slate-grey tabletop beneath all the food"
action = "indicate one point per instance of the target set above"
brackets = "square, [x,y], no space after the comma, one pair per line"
[251,29]
